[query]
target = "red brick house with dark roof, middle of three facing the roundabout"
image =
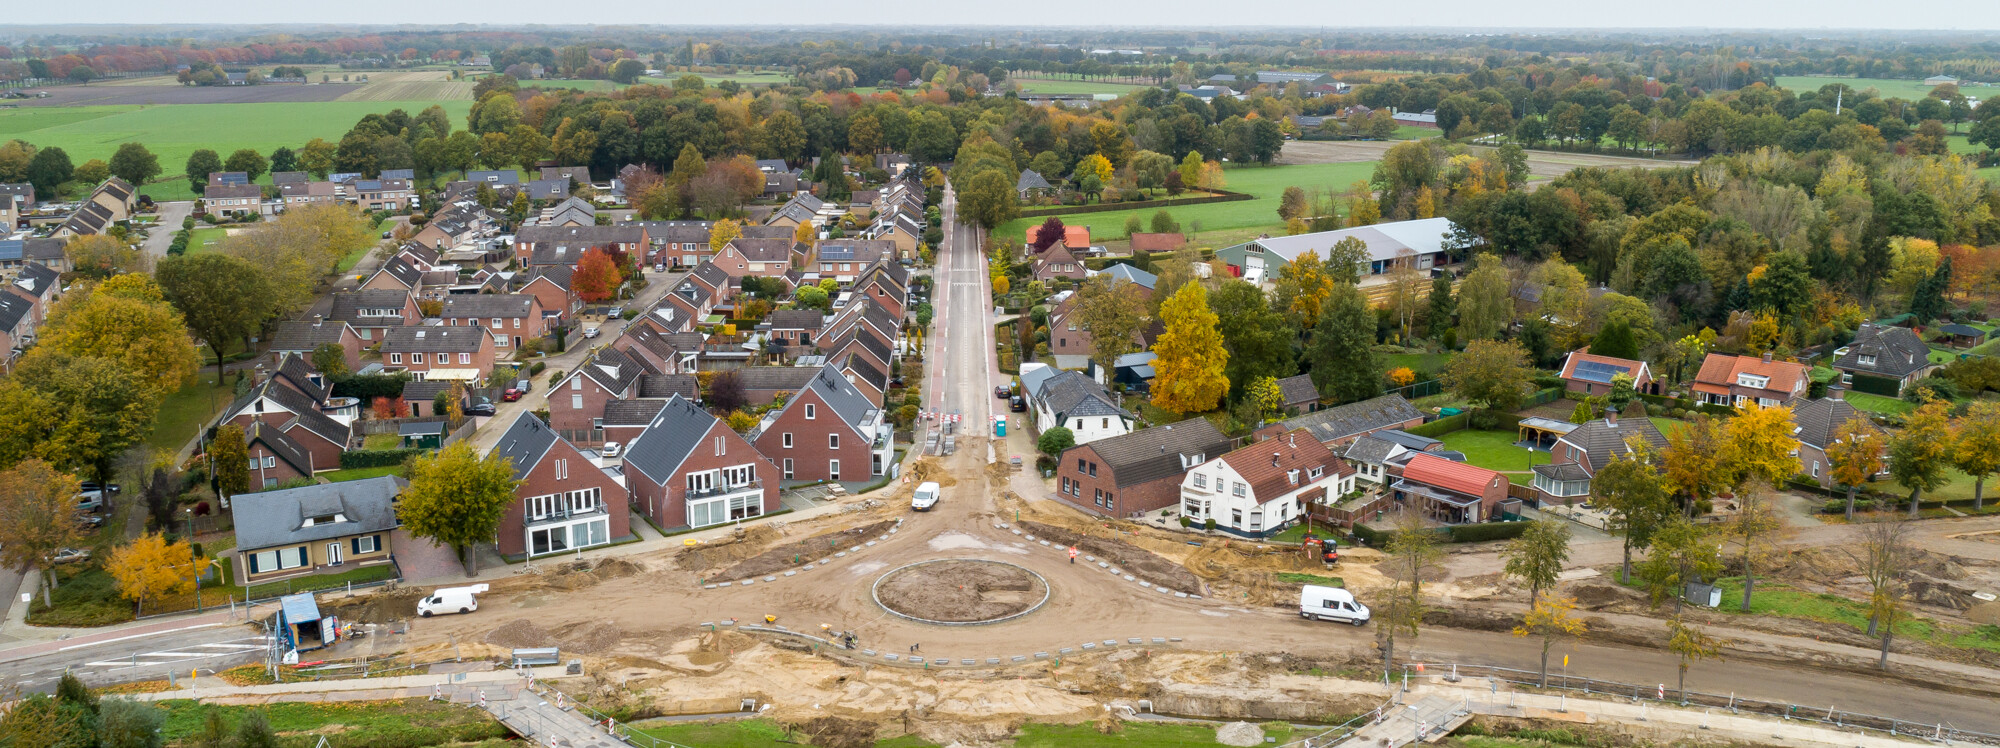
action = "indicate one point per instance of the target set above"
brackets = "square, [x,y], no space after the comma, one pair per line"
[691,471]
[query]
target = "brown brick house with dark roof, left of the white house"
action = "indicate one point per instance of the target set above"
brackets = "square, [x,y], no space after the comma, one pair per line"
[1137,473]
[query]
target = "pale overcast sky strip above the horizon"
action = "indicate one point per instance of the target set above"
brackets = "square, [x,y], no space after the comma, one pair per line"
[1305,15]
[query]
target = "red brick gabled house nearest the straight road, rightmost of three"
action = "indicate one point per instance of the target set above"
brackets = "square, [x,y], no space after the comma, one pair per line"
[829,431]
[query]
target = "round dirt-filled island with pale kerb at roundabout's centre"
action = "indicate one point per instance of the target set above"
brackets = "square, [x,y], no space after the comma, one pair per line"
[961,591]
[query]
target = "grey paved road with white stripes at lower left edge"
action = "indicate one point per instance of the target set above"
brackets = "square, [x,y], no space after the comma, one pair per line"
[141,657]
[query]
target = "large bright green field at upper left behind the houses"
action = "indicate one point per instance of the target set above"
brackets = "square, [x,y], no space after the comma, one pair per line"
[175,131]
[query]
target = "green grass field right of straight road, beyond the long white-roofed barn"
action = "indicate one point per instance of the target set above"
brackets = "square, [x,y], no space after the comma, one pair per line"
[1221,223]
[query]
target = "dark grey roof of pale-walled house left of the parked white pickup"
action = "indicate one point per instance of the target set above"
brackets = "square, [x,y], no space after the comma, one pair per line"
[277,517]
